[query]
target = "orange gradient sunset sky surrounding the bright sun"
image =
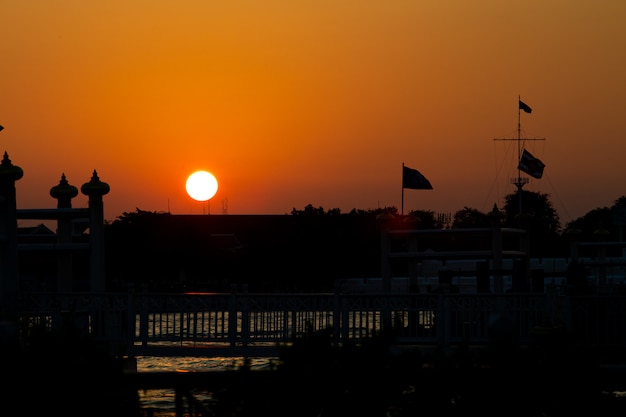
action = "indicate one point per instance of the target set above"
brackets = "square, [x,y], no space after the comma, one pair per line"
[295,103]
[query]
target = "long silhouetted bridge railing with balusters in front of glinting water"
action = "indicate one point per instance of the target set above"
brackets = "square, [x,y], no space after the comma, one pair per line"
[248,319]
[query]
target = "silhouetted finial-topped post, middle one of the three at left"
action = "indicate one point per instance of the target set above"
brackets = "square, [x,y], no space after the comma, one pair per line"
[64,192]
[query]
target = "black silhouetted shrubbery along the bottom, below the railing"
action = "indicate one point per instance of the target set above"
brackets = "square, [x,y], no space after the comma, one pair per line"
[54,374]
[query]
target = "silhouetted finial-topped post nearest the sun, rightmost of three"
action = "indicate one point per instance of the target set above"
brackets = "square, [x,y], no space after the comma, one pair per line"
[95,189]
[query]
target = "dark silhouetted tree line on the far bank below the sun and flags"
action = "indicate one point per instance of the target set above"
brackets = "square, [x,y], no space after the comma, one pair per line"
[312,248]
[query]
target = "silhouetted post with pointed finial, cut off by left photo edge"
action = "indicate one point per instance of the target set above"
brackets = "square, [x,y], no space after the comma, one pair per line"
[9,277]
